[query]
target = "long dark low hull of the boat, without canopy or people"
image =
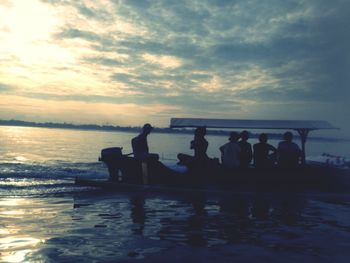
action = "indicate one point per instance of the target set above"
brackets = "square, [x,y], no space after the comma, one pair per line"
[308,178]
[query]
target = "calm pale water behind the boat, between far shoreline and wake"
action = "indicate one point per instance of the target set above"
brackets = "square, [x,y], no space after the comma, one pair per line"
[41,145]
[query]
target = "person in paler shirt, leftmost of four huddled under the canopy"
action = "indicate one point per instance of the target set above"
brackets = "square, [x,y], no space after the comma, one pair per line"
[230,152]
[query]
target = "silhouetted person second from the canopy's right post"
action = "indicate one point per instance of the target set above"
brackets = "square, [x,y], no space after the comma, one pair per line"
[263,153]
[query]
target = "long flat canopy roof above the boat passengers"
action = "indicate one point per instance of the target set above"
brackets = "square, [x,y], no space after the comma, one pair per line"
[250,124]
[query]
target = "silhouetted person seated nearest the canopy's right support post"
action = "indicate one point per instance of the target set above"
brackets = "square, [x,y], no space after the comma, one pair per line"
[289,152]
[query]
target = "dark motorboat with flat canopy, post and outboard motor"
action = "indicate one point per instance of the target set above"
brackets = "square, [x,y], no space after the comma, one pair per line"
[127,173]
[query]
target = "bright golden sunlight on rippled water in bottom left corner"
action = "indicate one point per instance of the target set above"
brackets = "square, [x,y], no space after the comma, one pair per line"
[21,221]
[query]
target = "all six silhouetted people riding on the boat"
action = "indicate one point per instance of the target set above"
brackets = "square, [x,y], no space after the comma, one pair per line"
[238,153]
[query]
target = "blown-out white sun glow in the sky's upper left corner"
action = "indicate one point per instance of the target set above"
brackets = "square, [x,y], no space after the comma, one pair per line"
[26,27]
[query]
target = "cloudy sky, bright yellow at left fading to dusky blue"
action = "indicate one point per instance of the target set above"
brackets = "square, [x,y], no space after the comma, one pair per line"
[126,62]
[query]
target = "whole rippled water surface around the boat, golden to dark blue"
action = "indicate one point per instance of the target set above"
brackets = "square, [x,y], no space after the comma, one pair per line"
[44,217]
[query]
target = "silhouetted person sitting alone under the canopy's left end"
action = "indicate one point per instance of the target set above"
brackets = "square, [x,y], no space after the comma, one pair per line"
[200,145]
